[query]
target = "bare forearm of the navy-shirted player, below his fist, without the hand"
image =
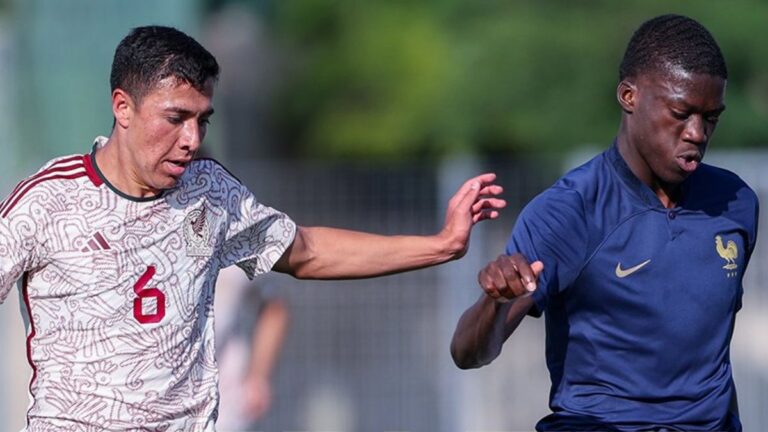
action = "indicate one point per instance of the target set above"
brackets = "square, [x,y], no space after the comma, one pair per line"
[483,329]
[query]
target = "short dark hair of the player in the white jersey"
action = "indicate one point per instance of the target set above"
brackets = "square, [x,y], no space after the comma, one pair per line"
[152,53]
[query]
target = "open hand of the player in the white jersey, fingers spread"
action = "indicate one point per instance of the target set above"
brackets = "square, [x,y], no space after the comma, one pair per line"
[475,201]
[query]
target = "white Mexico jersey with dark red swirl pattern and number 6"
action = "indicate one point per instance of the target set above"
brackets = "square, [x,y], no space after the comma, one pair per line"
[119,292]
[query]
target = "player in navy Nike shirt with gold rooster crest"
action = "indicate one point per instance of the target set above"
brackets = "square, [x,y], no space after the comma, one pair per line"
[637,257]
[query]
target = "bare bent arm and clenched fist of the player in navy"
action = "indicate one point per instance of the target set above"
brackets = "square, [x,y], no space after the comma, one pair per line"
[507,283]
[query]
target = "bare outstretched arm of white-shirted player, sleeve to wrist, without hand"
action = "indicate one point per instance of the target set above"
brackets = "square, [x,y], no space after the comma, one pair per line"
[328,253]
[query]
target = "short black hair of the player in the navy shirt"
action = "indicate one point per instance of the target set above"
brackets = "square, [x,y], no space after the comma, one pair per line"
[672,40]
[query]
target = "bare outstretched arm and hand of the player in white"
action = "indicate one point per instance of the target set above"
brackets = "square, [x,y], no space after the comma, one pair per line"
[329,253]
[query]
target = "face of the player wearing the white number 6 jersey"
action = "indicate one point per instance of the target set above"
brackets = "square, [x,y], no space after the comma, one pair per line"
[166,130]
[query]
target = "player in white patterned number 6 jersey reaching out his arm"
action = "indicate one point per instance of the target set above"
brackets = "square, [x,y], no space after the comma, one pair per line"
[117,251]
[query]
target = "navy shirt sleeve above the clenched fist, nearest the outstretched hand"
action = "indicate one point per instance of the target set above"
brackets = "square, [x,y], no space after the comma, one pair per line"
[553,229]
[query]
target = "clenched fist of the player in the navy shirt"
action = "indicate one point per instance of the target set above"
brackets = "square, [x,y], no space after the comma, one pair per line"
[508,277]
